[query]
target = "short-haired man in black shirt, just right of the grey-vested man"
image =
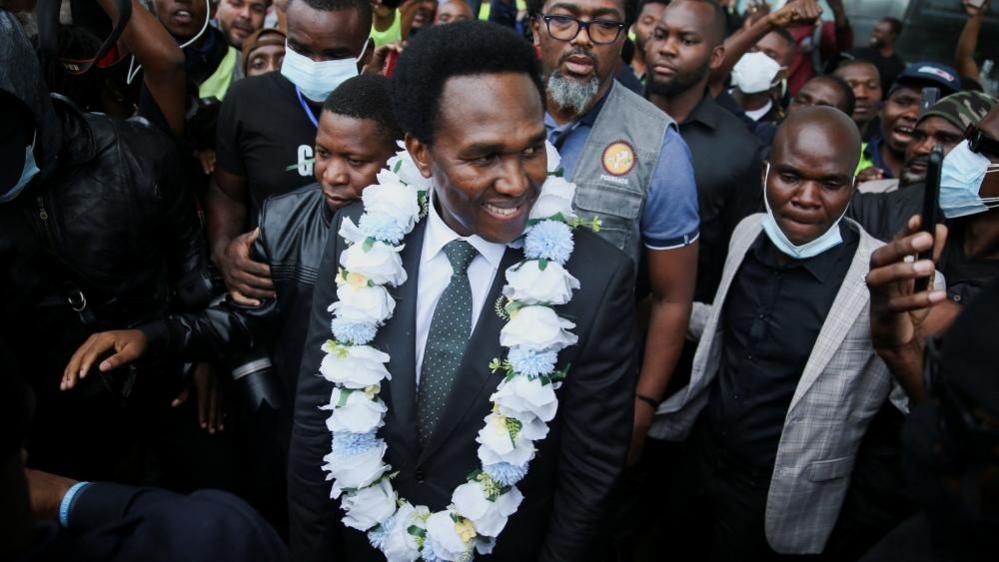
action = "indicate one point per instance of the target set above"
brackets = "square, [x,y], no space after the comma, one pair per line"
[728,186]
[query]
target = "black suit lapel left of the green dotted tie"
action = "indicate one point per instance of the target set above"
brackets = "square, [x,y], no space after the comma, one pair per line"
[397,338]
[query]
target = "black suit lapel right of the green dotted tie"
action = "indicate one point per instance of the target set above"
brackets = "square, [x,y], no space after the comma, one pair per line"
[474,380]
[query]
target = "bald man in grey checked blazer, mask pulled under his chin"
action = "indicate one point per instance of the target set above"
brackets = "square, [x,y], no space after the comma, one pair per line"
[785,380]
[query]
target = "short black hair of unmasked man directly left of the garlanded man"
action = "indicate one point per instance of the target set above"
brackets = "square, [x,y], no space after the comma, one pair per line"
[367,96]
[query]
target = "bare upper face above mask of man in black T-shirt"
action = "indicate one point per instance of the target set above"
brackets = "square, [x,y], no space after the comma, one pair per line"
[326,35]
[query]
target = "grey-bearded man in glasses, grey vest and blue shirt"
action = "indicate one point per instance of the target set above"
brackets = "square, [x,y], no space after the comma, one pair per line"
[631,168]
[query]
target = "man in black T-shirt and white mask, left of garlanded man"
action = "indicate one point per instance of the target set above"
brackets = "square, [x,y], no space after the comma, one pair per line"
[267,127]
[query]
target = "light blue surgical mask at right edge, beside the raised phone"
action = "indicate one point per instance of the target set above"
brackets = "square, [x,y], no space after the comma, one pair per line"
[961,178]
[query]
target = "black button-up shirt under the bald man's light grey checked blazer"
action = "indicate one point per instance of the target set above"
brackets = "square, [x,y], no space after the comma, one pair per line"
[773,314]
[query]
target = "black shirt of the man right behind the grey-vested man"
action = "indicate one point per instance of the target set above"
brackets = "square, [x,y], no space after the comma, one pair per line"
[726,158]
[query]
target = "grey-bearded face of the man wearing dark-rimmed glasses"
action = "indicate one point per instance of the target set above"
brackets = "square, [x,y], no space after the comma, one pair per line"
[579,63]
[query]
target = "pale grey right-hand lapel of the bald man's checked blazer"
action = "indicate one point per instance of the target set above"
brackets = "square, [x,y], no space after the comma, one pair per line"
[847,306]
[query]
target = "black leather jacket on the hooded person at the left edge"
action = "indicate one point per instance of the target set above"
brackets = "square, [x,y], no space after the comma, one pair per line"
[101,239]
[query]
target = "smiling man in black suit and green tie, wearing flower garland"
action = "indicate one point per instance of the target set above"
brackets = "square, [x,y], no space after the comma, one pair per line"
[470,100]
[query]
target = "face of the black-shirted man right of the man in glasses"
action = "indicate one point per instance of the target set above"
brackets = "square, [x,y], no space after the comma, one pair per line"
[682,49]
